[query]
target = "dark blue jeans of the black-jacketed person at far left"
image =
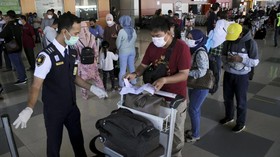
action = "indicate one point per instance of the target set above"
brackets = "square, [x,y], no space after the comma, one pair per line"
[18,65]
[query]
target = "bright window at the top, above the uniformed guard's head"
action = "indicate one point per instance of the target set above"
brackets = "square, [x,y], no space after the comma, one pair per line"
[86,9]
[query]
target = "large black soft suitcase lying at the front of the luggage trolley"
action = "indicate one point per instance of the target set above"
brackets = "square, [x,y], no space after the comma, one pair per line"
[133,134]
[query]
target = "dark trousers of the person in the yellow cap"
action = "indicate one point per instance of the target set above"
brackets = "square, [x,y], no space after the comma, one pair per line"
[236,85]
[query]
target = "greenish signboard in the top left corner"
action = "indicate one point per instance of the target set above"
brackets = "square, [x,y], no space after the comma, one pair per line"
[6,5]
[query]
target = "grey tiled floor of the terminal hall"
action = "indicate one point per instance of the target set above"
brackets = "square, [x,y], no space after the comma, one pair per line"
[260,139]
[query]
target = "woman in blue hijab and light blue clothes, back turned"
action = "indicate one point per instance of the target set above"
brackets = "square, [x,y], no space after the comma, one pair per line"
[126,45]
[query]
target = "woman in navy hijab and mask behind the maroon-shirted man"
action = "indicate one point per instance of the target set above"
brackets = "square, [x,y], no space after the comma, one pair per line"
[200,63]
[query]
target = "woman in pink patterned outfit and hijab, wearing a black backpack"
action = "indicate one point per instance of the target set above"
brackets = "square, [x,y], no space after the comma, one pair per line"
[88,72]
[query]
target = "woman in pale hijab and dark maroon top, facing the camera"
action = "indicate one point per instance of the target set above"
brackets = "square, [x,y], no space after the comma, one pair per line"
[110,35]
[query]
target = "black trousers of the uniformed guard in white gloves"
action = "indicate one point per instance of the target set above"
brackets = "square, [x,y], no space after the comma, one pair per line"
[71,119]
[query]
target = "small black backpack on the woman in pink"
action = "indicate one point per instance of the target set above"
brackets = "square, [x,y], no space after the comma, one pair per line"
[87,54]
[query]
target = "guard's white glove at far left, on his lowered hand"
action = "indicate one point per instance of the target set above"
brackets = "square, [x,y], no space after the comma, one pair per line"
[23,117]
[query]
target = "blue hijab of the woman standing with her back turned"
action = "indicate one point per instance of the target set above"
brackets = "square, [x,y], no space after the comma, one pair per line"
[125,22]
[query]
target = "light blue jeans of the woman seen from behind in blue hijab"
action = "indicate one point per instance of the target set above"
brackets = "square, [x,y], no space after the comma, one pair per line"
[126,59]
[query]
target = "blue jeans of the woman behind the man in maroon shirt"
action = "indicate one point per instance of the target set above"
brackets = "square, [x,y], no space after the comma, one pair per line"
[197,97]
